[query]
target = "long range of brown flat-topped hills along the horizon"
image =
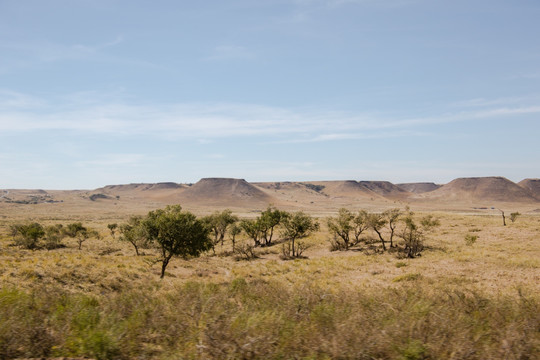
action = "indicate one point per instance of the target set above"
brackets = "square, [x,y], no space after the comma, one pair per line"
[312,196]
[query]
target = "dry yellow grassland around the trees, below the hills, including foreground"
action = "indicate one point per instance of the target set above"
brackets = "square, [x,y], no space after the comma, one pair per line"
[456,301]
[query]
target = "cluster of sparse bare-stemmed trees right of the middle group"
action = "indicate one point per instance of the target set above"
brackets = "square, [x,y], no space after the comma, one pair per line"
[347,229]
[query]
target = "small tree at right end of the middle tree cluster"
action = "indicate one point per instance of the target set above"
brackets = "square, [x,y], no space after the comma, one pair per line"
[297,226]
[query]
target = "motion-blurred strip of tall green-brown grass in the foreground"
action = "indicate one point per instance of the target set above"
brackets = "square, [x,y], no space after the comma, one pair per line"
[241,320]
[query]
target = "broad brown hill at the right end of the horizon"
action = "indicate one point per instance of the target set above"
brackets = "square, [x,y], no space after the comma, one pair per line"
[486,189]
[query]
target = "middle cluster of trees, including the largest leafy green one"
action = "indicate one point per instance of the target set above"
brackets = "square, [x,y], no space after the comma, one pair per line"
[175,232]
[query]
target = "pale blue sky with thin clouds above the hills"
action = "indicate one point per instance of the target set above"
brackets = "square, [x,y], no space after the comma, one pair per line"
[98,92]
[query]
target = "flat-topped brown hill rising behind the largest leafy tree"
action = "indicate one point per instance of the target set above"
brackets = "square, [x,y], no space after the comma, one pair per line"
[225,192]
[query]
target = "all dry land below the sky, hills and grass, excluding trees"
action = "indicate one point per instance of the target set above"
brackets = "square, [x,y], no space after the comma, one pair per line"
[459,300]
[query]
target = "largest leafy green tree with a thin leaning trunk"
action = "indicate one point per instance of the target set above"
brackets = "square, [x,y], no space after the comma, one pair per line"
[176,233]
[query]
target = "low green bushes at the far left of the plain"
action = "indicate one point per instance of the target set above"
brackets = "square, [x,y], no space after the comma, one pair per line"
[36,236]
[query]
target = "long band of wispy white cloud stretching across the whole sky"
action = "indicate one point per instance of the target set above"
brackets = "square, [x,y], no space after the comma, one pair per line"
[207,121]
